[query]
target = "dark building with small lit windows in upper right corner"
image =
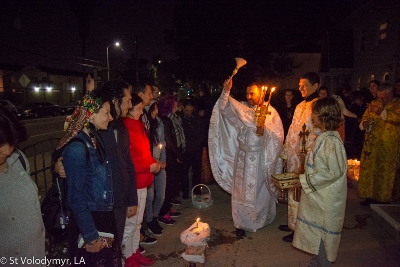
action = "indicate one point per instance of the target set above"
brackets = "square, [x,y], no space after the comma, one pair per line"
[375,57]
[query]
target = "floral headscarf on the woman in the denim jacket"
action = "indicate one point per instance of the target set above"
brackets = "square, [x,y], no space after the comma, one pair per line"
[80,118]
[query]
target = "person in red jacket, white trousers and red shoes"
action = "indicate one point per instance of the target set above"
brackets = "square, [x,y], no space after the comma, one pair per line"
[145,167]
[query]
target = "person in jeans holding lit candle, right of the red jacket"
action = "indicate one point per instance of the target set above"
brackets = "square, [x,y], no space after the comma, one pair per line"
[156,191]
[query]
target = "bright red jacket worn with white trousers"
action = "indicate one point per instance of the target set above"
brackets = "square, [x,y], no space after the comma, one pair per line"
[140,152]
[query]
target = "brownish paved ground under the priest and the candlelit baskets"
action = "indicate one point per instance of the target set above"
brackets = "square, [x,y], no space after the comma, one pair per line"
[364,242]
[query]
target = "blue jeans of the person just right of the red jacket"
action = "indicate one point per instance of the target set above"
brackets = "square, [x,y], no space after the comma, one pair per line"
[157,187]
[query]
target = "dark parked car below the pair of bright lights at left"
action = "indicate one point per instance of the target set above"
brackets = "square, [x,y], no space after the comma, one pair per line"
[39,109]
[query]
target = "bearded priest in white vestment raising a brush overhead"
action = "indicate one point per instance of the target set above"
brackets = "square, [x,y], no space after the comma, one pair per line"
[241,161]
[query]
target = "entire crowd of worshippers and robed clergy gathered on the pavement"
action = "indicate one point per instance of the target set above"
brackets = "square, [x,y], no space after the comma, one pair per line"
[139,153]
